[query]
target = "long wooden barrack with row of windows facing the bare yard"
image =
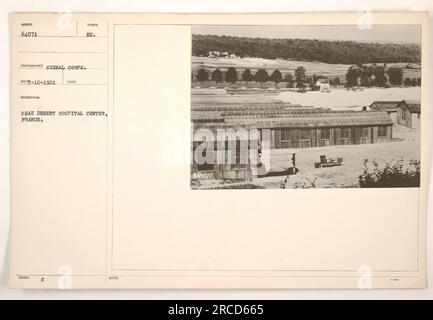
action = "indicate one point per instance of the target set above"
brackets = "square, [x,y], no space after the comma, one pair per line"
[299,127]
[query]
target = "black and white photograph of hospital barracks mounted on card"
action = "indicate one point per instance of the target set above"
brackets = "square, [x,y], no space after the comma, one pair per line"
[298,107]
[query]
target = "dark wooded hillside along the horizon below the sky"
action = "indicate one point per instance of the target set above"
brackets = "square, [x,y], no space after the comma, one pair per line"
[344,52]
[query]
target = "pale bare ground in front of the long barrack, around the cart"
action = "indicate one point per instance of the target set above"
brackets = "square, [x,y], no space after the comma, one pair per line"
[405,146]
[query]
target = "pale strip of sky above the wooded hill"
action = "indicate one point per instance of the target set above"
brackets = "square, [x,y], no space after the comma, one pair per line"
[378,33]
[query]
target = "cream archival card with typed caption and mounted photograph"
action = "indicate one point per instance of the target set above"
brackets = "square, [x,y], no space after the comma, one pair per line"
[239,151]
